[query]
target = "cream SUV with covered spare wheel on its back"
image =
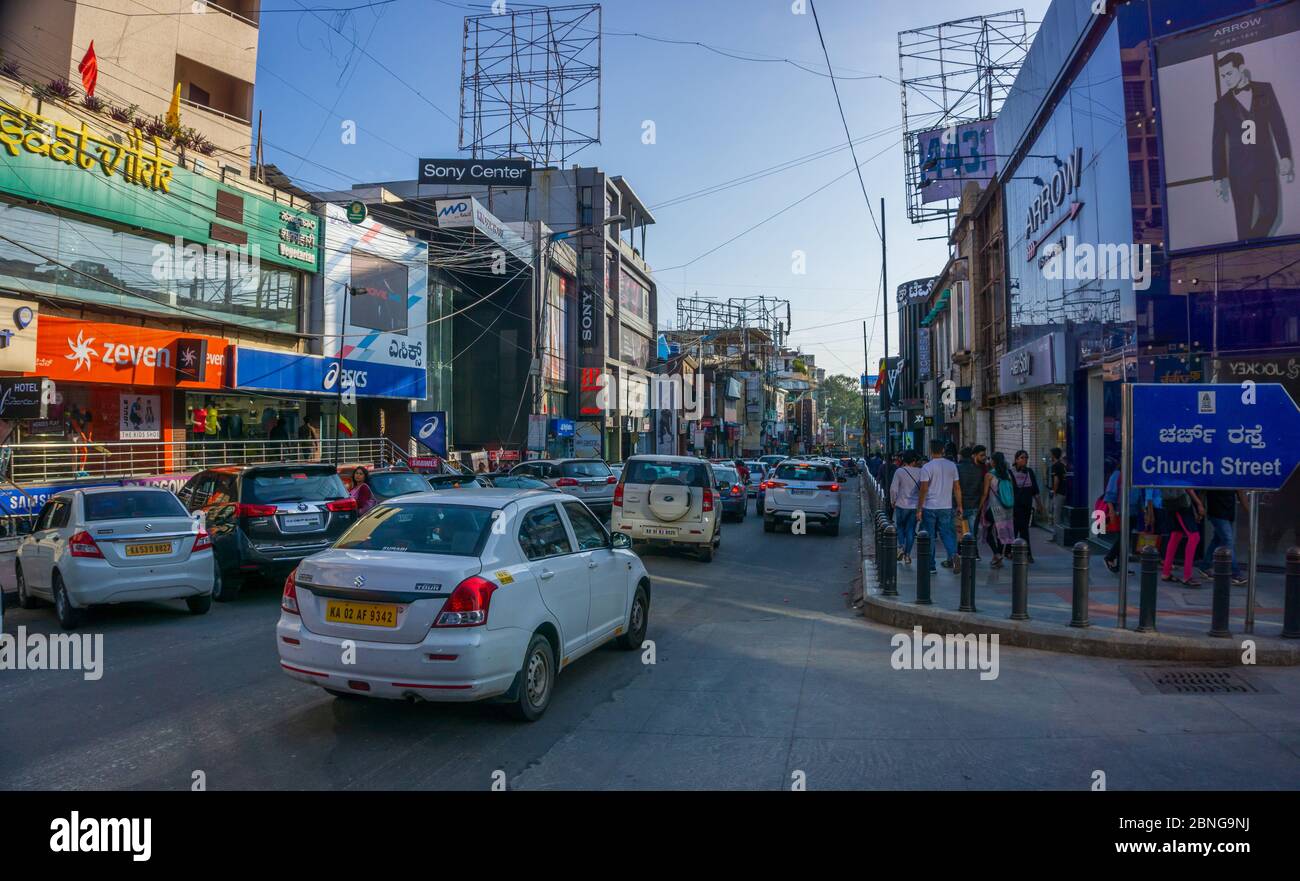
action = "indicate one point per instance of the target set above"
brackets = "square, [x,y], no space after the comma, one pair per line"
[669,501]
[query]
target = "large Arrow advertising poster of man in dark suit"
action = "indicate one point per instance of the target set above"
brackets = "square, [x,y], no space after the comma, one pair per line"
[1229,111]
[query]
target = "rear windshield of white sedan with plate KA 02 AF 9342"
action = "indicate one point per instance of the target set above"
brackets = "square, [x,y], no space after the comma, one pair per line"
[415,528]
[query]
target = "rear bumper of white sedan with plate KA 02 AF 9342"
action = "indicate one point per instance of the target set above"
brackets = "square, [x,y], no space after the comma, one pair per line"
[448,665]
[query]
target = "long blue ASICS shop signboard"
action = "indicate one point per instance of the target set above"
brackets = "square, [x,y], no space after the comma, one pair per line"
[259,370]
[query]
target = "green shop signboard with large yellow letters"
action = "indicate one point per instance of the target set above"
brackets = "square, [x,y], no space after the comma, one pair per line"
[135,184]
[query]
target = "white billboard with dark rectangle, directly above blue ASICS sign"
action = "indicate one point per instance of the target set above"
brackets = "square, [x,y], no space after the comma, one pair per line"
[384,276]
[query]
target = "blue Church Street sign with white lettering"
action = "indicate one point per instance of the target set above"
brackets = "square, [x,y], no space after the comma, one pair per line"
[1219,437]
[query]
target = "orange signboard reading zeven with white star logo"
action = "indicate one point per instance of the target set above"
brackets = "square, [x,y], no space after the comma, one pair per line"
[92,351]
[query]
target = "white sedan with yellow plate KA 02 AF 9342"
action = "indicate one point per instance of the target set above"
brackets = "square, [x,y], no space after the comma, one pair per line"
[462,597]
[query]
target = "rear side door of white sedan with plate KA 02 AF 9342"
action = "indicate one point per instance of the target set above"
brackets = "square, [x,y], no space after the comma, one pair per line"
[562,576]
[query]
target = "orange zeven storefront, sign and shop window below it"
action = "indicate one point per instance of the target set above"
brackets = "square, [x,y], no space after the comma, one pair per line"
[119,384]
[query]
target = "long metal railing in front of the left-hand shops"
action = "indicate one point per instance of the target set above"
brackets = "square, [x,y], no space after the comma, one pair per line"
[34,465]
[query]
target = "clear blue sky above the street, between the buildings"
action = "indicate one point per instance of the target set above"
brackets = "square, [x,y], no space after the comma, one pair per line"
[716,119]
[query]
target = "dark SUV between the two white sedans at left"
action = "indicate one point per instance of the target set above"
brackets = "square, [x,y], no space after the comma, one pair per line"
[265,519]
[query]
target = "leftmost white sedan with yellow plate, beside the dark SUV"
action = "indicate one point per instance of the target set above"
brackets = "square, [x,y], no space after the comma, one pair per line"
[114,545]
